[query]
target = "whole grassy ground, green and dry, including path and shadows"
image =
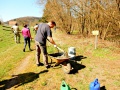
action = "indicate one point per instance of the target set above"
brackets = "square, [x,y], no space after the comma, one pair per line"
[19,72]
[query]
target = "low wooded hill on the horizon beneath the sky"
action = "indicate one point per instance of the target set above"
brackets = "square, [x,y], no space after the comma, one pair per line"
[28,20]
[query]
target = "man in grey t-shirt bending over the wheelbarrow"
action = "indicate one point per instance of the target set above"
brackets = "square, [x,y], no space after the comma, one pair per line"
[43,33]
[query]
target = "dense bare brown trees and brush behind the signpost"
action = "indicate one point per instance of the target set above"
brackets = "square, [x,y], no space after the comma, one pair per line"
[84,16]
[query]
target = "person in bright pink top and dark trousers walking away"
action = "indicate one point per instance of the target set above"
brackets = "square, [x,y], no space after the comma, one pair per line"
[27,36]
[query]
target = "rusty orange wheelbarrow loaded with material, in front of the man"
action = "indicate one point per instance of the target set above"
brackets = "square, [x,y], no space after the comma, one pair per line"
[61,58]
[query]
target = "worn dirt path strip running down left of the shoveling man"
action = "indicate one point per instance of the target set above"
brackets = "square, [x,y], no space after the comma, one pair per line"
[17,71]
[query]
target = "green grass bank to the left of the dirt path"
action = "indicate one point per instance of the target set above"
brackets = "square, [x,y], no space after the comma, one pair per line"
[10,52]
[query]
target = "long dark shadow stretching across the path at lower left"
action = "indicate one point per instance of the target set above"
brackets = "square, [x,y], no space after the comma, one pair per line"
[20,79]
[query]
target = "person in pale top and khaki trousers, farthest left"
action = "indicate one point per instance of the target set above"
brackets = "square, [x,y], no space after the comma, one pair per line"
[16,32]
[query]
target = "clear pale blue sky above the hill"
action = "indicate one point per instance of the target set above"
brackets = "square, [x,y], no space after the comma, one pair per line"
[10,9]
